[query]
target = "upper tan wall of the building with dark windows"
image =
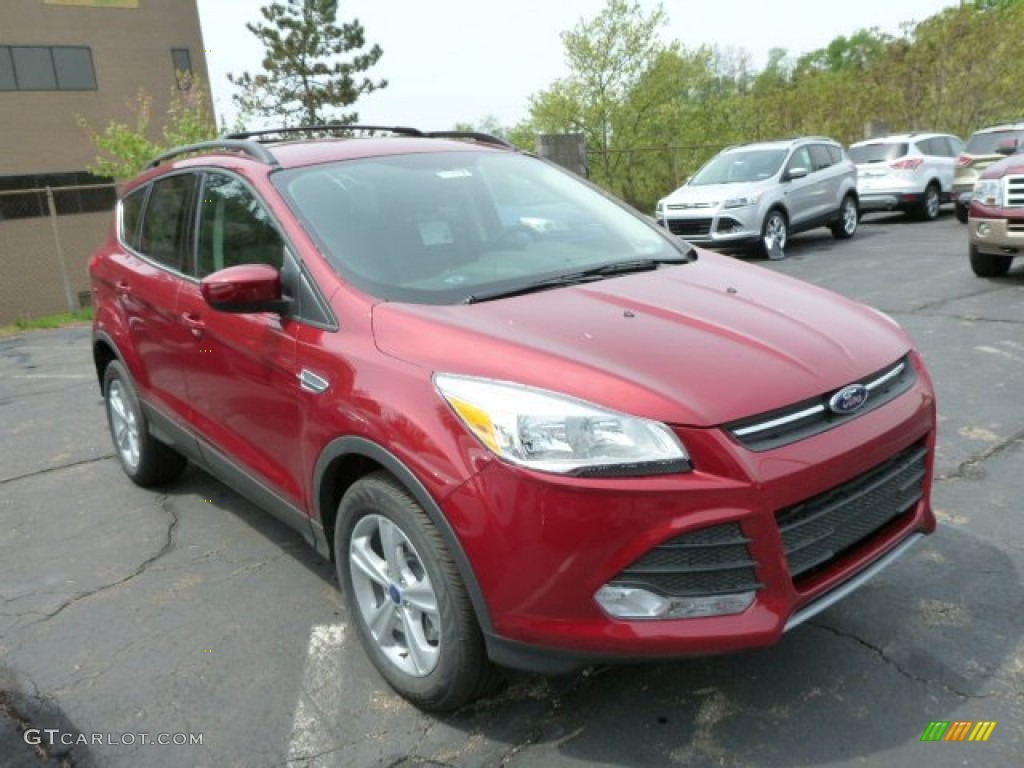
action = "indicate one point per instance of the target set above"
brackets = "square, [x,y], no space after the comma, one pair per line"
[65,59]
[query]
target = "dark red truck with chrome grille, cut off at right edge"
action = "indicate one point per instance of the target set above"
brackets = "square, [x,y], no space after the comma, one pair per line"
[996,223]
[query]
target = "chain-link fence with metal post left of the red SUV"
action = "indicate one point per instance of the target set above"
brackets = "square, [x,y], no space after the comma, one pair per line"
[48,236]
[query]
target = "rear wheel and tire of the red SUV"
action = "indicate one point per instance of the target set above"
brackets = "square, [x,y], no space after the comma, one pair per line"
[145,459]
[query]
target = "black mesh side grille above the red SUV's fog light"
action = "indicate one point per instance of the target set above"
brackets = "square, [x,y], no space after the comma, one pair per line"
[715,561]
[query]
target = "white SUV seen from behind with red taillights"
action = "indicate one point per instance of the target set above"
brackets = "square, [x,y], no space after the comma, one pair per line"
[912,173]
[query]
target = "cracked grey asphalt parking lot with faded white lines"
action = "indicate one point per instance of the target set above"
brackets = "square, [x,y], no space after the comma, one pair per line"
[130,617]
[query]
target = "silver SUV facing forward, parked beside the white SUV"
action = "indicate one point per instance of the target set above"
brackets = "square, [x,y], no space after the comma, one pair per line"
[753,197]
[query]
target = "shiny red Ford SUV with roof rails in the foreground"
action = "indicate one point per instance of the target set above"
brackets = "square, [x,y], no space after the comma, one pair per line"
[532,429]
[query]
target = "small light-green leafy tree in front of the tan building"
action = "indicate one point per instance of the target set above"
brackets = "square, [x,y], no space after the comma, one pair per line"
[125,148]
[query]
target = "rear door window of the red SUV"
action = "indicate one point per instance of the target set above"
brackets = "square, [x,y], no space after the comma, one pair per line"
[166,227]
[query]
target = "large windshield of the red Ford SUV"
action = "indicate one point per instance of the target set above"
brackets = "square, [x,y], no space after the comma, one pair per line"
[442,228]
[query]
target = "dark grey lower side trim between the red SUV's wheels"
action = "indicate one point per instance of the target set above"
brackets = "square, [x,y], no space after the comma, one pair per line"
[219,465]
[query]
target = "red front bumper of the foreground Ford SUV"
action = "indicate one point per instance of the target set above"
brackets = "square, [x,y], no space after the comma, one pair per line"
[542,546]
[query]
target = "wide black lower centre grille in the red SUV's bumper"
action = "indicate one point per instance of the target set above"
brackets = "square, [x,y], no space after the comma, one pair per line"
[818,532]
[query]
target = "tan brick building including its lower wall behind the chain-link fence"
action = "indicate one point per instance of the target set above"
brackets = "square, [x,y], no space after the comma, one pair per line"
[62,61]
